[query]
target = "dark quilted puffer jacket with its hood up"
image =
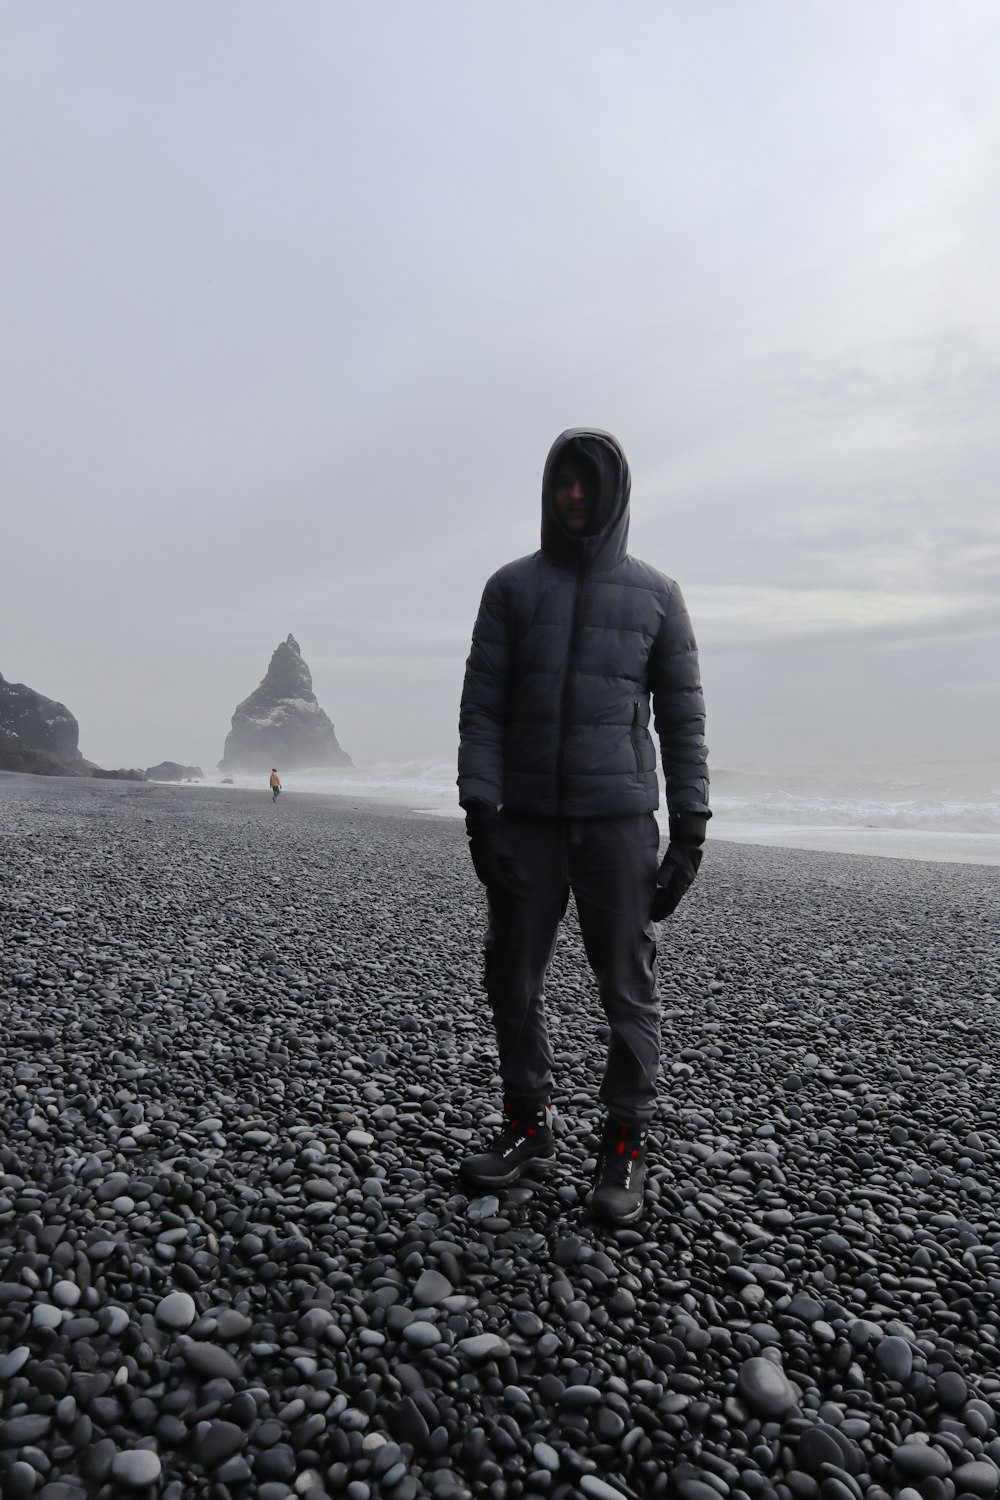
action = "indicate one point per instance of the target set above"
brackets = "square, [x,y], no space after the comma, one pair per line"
[569,649]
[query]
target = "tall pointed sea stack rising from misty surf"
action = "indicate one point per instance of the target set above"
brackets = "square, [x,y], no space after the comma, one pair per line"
[281,724]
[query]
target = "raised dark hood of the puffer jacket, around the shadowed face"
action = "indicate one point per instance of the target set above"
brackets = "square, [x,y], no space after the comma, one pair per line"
[608,539]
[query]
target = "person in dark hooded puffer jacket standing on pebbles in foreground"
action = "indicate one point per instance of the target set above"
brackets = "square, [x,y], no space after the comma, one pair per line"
[558,781]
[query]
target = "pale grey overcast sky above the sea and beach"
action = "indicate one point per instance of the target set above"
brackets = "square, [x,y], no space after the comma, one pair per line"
[295,301]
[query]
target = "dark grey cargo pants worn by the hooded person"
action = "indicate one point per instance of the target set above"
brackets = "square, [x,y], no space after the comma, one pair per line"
[611,866]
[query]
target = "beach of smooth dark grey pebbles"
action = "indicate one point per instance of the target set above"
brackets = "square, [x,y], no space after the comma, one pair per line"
[244,1049]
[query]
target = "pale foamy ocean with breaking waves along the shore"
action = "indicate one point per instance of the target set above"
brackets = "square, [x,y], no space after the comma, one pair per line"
[945,809]
